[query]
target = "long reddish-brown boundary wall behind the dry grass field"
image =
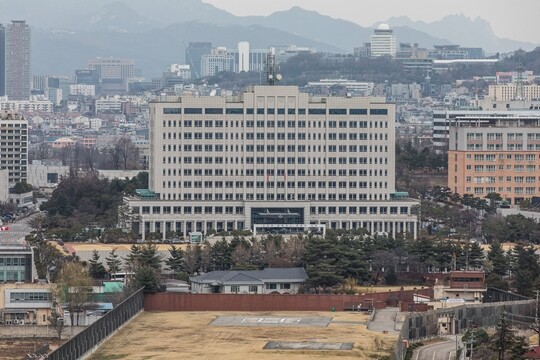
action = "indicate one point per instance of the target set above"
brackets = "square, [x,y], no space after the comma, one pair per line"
[170,301]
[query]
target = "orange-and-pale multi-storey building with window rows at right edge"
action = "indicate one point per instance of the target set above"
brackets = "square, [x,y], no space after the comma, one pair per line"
[500,156]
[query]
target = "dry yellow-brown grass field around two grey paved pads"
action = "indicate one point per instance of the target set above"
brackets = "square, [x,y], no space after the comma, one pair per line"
[187,335]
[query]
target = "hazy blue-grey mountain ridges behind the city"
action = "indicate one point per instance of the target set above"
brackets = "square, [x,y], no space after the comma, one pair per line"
[93,25]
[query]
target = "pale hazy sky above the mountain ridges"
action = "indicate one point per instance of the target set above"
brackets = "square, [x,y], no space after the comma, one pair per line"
[514,19]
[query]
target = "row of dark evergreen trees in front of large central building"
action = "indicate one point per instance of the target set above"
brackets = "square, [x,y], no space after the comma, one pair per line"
[329,260]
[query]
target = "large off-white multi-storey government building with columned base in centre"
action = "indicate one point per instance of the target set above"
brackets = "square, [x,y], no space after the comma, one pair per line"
[271,156]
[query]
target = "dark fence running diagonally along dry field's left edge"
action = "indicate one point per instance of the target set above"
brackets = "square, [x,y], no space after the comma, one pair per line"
[91,337]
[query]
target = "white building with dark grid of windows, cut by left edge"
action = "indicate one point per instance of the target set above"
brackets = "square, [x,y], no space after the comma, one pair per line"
[14,146]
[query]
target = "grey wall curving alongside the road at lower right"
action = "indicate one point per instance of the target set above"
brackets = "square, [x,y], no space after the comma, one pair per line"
[419,326]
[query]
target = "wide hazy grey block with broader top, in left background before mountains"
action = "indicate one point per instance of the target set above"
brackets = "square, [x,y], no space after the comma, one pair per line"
[113,74]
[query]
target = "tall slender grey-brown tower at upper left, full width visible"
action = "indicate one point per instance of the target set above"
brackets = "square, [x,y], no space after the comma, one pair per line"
[17,60]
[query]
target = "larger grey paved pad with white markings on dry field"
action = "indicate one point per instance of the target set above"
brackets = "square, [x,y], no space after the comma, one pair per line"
[270,321]
